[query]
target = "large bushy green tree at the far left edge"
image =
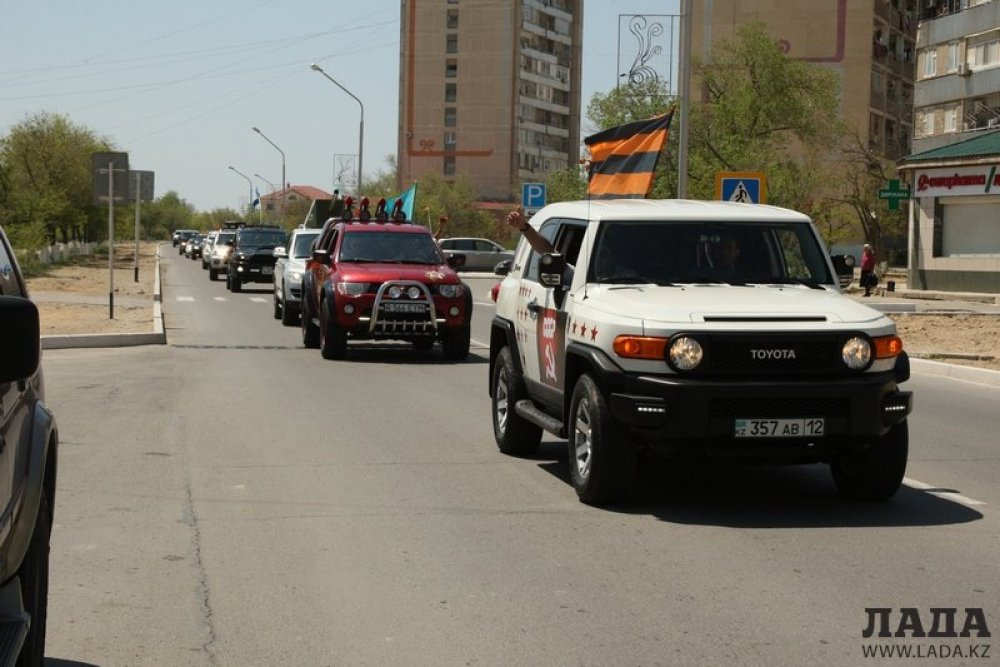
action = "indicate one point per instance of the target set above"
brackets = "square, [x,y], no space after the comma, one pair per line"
[47,180]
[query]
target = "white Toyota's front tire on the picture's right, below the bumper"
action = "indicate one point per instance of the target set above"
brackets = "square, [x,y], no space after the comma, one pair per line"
[874,472]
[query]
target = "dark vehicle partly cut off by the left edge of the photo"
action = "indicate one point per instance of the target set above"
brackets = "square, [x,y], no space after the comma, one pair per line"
[29,442]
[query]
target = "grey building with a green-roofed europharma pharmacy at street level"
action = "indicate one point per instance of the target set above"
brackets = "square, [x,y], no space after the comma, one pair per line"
[953,229]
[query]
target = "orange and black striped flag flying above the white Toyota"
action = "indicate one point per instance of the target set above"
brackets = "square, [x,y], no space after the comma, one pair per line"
[623,158]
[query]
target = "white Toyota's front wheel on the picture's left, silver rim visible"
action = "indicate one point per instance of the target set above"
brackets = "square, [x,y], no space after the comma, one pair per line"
[602,463]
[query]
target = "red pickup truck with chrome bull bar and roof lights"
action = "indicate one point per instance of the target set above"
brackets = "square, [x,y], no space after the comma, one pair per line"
[383,280]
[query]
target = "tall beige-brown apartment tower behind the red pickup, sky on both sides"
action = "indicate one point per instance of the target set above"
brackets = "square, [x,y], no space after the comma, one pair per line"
[489,89]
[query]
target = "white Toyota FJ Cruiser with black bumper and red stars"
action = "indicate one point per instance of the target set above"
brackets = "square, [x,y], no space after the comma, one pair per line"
[693,328]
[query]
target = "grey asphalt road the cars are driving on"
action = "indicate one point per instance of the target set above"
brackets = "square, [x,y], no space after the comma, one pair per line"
[231,498]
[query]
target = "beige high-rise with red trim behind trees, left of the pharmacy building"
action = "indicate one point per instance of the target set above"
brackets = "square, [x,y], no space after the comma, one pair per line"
[869,44]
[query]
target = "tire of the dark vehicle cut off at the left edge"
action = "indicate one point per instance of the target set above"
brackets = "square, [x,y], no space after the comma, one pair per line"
[34,575]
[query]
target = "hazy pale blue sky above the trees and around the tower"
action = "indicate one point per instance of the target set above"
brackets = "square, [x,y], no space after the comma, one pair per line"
[179,85]
